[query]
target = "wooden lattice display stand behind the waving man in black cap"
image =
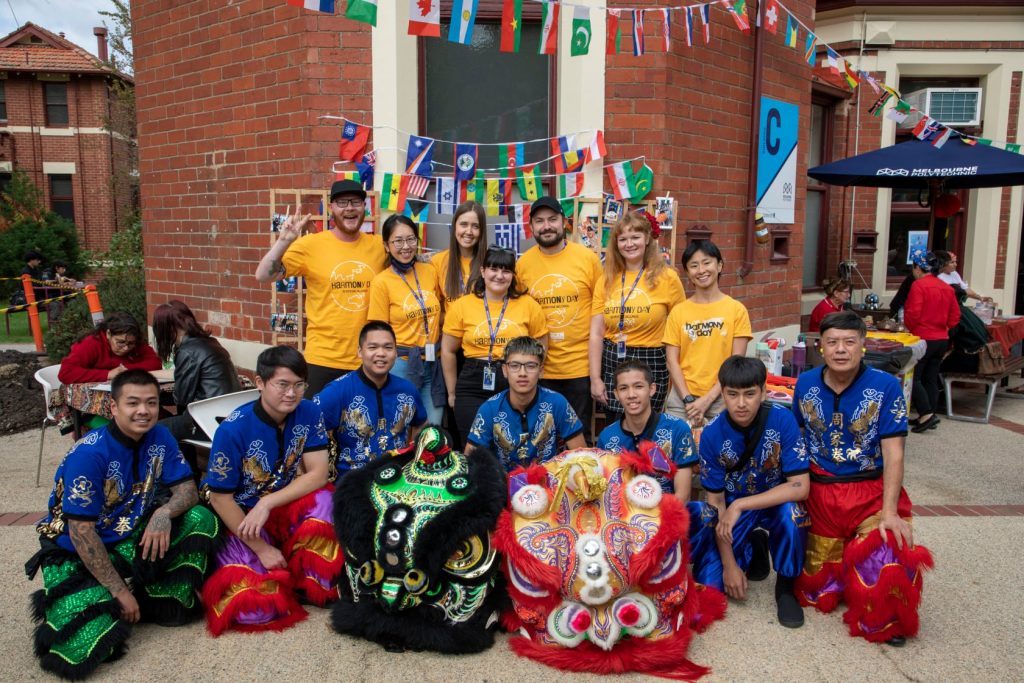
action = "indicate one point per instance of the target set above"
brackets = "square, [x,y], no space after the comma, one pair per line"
[286,304]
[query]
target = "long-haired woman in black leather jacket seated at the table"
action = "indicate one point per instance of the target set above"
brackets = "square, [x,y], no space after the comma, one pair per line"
[202,368]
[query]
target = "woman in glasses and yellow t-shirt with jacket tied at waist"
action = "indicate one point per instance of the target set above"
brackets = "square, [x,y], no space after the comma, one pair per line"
[408,296]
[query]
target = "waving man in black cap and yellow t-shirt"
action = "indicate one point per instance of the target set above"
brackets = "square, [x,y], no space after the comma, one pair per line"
[338,266]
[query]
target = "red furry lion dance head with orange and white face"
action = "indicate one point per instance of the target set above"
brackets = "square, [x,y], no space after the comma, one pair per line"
[598,567]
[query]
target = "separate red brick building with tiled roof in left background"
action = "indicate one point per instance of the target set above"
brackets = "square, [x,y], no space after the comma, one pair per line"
[54,103]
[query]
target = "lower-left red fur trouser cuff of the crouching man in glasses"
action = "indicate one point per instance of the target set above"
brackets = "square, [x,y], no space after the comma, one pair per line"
[282,602]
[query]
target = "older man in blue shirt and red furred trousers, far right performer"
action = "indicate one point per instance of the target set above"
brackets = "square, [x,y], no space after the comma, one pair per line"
[861,547]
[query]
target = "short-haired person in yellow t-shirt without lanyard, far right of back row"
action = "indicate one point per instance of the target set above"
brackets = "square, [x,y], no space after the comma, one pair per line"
[701,334]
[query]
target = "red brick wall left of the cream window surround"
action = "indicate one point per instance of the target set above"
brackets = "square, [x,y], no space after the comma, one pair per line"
[229,98]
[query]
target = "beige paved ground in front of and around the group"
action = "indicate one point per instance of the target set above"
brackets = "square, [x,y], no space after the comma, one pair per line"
[965,479]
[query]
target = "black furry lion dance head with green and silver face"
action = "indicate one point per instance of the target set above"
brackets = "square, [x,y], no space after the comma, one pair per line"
[420,569]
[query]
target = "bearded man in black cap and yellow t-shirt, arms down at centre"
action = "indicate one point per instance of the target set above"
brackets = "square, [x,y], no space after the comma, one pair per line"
[562,277]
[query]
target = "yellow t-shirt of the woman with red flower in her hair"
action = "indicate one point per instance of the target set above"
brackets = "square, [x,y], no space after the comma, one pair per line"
[646,311]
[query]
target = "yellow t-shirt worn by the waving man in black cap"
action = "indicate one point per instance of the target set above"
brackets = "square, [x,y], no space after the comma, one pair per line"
[338,276]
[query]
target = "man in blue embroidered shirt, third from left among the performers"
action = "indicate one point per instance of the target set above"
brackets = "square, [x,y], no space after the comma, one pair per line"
[372,411]
